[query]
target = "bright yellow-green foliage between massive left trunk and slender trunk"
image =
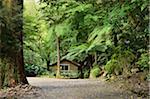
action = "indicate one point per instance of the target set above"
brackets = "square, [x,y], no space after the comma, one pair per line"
[37,39]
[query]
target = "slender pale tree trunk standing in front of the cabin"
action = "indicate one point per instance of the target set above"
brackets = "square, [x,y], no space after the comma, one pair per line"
[58,57]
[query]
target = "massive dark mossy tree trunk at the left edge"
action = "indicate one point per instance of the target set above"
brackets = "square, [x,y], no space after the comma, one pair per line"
[12,61]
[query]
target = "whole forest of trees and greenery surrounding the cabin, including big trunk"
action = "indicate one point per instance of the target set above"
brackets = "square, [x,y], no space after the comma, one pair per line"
[108,38]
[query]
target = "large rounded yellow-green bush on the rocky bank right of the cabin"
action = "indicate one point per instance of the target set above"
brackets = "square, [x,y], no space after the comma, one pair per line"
[120,62]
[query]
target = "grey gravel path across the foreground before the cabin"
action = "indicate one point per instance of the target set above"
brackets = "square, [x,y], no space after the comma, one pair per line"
[77,89]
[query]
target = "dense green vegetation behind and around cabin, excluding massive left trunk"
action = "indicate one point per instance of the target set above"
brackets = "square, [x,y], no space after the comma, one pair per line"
[101,35]
